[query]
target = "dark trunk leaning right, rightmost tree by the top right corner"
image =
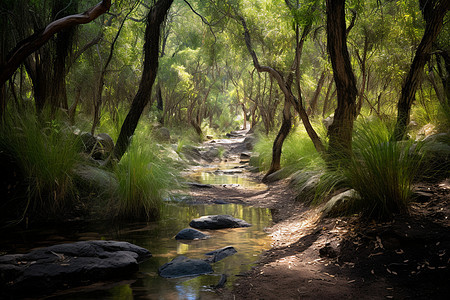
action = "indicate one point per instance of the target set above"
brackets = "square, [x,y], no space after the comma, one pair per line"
[434,13]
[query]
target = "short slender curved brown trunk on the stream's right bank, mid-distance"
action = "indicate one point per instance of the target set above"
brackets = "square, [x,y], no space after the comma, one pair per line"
[285,128]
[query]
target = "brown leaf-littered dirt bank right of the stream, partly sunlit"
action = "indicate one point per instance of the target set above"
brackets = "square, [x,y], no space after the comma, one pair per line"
[344,258]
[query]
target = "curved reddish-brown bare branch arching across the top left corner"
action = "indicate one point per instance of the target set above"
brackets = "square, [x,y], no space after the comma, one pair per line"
[34,42]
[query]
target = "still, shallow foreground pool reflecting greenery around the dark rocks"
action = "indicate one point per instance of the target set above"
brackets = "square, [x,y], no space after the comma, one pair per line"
[158,238]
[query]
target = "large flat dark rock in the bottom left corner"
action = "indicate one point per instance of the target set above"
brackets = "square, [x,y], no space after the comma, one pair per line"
[63,266]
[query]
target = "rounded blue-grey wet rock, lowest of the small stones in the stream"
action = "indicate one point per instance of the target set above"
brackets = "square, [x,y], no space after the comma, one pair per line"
[183,266]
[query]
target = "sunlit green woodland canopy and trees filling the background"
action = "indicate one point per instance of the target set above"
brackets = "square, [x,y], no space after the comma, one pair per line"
[208,77]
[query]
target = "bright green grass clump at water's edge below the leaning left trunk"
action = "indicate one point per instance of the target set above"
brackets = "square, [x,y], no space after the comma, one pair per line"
[145,178]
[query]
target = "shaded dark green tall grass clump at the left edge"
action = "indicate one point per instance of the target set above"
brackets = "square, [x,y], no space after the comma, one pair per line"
[46,153]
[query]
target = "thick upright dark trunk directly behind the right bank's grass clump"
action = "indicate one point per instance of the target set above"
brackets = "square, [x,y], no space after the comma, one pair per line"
[340,132]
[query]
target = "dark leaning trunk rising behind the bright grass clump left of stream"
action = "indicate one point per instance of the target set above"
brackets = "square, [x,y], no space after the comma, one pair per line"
[155,18]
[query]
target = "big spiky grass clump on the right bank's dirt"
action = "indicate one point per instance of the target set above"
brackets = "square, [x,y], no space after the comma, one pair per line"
[382,171]
